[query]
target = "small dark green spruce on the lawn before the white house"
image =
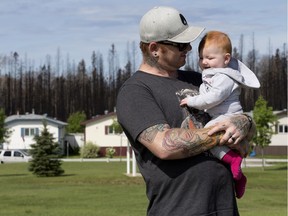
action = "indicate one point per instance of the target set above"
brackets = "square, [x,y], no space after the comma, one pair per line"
[45,154]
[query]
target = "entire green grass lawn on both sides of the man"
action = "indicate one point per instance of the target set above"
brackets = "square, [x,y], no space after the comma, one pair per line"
[100,188]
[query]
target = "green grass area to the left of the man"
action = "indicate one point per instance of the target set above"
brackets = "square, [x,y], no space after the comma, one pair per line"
[91,188]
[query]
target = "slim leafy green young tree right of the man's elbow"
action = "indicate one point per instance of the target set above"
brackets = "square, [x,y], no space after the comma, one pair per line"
[264,120]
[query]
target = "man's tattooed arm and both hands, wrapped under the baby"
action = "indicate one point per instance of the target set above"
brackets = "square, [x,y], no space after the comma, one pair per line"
[176,143]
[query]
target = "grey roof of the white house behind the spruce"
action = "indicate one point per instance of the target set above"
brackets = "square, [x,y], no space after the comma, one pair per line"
[32,117]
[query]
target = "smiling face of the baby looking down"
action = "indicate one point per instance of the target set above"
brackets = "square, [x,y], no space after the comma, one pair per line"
[212,56]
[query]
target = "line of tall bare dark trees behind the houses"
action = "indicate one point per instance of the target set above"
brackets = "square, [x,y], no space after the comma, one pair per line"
[60,91]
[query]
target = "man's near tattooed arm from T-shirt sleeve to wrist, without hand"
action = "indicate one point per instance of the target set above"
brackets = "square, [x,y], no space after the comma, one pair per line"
[175,143]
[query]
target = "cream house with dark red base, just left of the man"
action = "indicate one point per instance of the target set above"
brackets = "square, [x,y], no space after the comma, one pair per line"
[99,131]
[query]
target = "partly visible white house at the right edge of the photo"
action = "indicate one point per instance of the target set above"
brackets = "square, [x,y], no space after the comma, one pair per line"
[279,140]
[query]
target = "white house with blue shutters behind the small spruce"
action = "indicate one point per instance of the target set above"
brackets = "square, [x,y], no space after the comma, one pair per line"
[23,128]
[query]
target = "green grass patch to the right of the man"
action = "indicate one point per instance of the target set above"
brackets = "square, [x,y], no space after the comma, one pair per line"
[266,193]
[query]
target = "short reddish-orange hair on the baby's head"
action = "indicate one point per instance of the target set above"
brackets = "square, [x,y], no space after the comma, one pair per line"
[218,38]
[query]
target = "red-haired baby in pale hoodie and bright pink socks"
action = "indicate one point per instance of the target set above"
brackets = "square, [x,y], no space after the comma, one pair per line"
[223,77]
